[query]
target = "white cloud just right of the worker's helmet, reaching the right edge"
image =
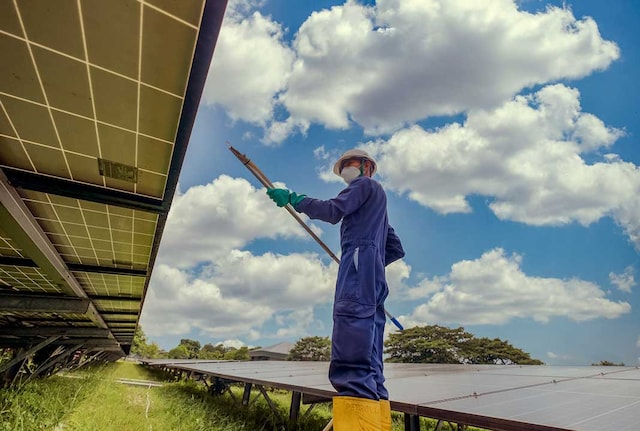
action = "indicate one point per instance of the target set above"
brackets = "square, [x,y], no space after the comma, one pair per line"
[527,154]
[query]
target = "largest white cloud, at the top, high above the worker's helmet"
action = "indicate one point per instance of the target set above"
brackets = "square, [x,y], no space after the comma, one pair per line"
[387,66]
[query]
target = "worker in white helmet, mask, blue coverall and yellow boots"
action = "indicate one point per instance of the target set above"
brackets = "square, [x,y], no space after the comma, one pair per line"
[368,244]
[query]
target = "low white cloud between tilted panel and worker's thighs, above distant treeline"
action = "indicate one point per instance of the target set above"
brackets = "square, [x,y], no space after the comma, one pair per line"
[237,295]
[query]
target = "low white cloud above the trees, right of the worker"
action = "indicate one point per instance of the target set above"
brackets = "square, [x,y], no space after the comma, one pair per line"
[493,290]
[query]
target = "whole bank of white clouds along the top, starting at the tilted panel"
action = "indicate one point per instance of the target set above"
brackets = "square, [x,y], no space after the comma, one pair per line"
[395,63]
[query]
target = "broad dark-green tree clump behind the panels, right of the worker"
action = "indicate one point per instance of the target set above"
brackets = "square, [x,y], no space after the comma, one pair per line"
[439,344]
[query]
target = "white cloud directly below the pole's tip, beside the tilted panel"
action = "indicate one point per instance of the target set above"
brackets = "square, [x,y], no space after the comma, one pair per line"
[207,221]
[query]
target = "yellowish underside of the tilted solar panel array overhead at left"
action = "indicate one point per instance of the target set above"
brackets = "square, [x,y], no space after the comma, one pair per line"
[97,101]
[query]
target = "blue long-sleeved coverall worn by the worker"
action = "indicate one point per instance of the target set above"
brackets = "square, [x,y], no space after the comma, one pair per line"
[368,244]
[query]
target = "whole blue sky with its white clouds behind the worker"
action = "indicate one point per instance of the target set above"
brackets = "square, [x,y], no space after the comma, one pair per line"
[506,135]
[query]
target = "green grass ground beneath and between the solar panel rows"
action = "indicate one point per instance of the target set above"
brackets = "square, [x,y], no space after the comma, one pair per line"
[93,400]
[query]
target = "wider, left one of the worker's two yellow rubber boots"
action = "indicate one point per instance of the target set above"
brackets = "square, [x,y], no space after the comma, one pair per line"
[356,414]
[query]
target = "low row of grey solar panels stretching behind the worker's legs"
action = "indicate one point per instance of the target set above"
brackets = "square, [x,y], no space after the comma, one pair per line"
[510,398]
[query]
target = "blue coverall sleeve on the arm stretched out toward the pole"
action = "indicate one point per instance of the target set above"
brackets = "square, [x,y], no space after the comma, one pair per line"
[333,210]
